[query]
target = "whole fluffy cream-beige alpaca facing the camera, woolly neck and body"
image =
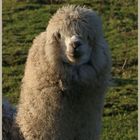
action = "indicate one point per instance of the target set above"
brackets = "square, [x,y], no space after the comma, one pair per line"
[65,80]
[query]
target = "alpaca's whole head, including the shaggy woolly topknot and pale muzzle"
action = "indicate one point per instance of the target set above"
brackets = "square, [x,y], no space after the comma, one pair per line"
[74,31]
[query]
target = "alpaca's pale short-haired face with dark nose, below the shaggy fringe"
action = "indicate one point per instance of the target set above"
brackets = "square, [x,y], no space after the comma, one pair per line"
[75,49]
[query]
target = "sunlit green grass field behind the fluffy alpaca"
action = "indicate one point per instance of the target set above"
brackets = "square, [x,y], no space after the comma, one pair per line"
[22,21]
